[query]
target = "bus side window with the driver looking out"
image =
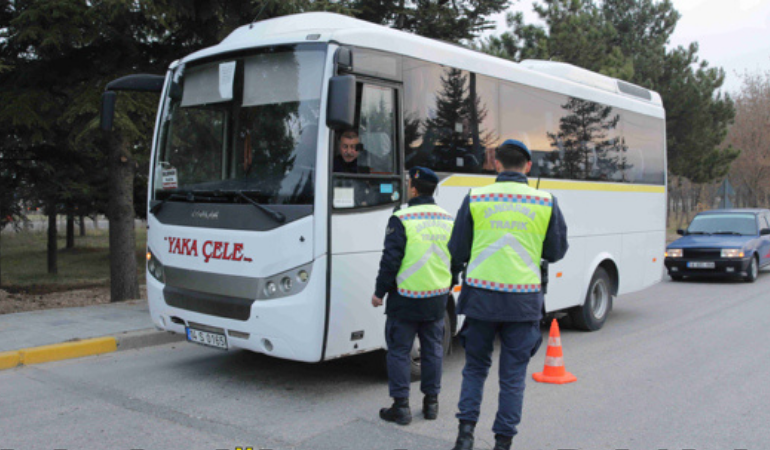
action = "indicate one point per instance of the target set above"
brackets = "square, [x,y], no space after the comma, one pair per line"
[365,169]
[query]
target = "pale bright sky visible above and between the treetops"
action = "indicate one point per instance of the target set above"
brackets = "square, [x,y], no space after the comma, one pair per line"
[732,34]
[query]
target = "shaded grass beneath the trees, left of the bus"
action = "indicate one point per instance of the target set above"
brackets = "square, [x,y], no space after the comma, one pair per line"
[23,261]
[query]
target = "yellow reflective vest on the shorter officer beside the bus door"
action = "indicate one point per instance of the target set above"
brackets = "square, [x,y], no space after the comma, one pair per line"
[425,269]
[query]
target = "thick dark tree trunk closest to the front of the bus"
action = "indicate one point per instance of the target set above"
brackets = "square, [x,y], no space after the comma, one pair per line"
[124,283]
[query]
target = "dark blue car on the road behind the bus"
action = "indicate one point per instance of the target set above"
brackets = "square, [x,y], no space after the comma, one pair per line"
[725,242]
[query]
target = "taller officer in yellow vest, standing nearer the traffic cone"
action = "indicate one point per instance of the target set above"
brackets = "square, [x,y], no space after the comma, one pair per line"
[501,233]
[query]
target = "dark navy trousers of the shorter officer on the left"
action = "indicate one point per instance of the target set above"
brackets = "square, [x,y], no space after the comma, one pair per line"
[399,335]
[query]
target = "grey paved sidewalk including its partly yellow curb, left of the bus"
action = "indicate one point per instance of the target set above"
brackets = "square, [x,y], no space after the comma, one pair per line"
[65,333]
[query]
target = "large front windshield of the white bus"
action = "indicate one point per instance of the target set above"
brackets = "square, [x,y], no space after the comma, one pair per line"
[242,126]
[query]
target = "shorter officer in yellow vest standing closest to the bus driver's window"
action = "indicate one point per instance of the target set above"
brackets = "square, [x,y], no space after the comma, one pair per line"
[415,273]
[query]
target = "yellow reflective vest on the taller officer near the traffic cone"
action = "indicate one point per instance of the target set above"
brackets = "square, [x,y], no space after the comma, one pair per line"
[510,221]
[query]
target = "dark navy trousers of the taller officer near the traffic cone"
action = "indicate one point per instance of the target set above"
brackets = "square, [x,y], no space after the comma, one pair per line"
[519,342]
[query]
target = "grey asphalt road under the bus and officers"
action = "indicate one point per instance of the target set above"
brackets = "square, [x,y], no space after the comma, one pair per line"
[678,366]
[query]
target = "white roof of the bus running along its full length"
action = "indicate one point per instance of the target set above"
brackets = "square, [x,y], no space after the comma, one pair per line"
[328,27]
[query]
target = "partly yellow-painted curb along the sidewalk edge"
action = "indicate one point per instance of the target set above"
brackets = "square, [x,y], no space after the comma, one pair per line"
[78,348]
